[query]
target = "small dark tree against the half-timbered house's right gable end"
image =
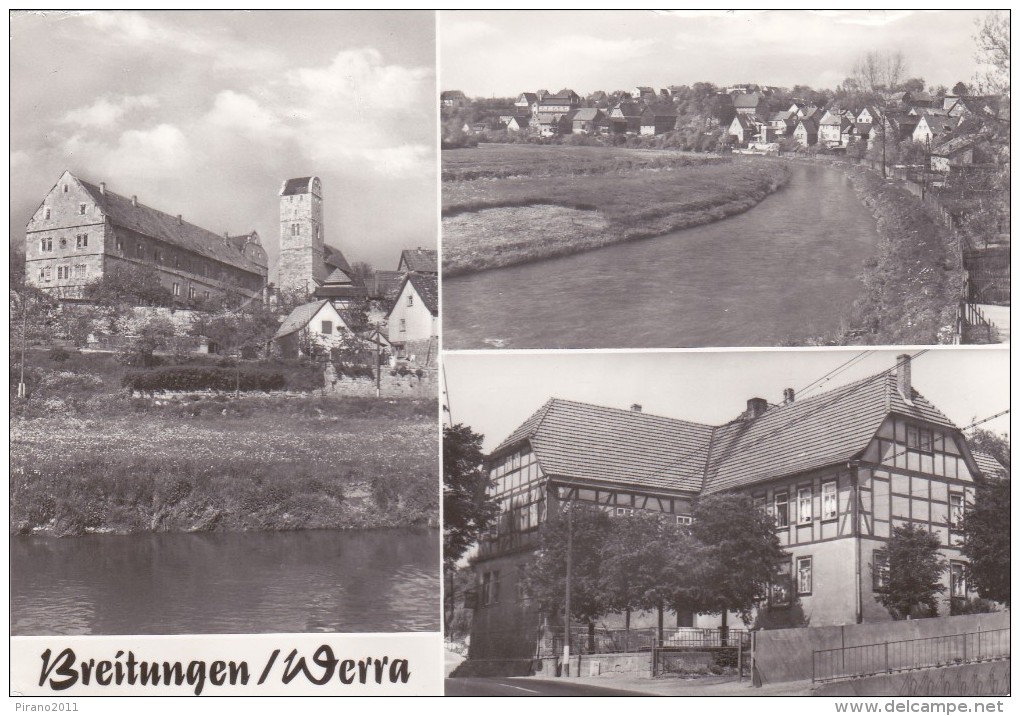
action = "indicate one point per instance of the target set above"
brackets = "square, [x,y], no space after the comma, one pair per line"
[915,573]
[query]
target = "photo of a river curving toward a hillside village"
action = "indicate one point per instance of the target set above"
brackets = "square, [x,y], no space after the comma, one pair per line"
[725,179]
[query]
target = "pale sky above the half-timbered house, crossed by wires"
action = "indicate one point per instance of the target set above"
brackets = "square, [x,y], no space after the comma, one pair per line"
[494,392]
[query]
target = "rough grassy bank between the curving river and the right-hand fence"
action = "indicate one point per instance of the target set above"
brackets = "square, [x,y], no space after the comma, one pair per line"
[913,285]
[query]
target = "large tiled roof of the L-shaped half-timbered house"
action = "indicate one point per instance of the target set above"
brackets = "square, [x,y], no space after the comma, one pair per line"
[593,443]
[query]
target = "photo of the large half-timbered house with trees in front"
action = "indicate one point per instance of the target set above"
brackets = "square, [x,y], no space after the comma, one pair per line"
[776,523]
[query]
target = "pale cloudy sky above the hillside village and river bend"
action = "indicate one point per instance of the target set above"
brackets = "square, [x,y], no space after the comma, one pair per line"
[505,54]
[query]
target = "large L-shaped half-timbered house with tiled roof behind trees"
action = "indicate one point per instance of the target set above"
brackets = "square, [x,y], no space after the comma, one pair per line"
[838,472]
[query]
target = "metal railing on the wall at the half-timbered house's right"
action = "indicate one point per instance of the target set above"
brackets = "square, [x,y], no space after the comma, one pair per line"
[889,657]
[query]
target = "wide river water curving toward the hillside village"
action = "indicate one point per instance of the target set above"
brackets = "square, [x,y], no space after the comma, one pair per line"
[788,269]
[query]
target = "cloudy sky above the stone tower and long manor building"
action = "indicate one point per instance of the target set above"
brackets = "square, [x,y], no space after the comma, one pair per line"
[207,114]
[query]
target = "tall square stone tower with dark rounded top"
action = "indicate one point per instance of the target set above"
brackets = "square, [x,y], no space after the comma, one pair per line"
[301,236]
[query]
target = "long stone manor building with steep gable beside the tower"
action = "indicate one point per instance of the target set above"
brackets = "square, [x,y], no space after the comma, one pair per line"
[83,232]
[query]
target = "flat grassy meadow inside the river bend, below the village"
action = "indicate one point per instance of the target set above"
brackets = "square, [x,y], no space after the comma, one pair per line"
[512,204]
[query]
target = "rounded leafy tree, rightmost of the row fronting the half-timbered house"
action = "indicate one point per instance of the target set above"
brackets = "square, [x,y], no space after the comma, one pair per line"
[736,557]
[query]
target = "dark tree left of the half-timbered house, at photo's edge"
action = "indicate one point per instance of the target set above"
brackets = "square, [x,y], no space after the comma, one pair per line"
[468,512]
